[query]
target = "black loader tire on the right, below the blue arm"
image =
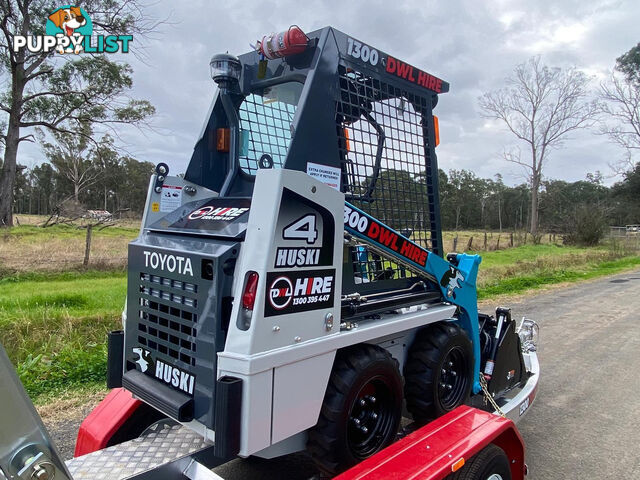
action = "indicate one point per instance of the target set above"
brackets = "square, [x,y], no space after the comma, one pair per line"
[427,369]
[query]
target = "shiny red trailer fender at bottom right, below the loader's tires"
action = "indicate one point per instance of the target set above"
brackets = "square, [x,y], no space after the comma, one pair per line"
[442,447]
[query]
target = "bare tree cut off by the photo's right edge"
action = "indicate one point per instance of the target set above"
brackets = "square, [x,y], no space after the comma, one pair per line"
[621,116]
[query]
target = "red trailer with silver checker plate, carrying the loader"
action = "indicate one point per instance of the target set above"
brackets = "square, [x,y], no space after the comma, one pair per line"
[465,444]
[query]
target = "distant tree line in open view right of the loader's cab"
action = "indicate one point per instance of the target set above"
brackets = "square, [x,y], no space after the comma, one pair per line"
[471,202]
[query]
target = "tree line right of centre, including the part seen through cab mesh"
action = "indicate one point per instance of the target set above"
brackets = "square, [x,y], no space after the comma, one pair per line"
[471,202]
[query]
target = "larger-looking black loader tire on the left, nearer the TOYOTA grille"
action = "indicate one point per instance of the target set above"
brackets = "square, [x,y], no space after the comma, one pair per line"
[336,443]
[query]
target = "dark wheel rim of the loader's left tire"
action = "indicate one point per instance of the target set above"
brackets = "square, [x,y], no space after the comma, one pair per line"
[370,417]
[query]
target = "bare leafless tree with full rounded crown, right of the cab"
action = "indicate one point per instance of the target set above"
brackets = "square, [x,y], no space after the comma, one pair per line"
[540,105]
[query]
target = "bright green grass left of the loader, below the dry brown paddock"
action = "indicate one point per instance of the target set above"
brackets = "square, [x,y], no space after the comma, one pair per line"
[54,327]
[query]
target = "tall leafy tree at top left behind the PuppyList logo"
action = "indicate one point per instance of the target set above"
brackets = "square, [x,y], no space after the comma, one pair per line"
[39,89]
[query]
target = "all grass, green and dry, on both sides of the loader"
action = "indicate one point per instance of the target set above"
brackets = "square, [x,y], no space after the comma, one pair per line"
[54,315]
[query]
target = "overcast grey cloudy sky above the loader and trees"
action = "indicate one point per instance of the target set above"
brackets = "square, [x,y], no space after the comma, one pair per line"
[473,45]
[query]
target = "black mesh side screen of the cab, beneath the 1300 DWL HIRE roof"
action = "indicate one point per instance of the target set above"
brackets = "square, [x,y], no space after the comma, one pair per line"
[384,149]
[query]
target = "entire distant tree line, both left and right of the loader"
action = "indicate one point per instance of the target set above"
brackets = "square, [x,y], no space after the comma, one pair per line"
[102,180]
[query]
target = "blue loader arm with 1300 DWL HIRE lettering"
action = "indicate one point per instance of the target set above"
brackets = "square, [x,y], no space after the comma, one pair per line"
[457,283]
